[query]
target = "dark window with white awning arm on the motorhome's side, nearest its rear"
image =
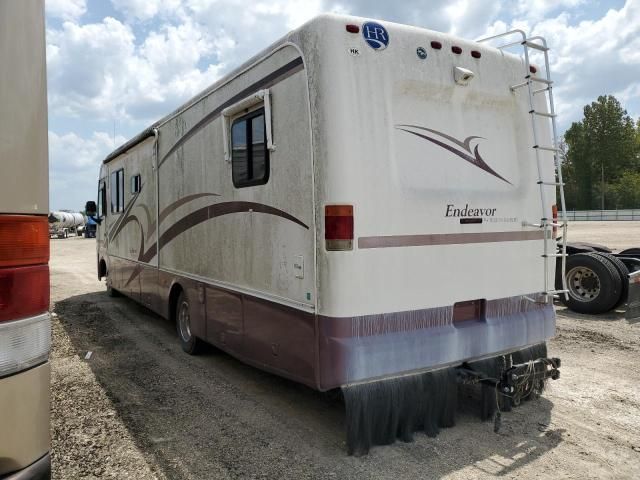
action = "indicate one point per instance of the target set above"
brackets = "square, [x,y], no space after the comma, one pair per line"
[249,154]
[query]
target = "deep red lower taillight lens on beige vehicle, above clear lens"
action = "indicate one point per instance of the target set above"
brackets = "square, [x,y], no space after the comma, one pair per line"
[24,292]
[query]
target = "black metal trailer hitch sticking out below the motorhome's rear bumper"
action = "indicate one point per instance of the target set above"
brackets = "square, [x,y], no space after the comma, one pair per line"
[515,383]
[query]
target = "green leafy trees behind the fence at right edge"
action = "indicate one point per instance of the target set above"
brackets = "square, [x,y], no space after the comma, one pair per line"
[601,158]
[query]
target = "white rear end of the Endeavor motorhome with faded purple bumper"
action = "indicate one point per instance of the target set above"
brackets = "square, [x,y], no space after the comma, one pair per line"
[427,190]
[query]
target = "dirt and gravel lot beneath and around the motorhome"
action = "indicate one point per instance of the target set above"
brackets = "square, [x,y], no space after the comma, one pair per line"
[140,408]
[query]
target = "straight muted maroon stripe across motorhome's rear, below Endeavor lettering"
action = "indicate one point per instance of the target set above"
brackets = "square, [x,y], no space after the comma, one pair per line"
[447,239]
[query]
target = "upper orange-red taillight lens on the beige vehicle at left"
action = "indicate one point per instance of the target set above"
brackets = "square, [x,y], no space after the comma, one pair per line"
[24,240]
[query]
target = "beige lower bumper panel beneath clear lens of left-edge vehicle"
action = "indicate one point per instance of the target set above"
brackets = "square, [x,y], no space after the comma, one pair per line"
[24,420]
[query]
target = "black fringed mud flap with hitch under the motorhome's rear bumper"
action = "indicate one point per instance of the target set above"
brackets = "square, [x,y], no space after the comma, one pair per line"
[381,412]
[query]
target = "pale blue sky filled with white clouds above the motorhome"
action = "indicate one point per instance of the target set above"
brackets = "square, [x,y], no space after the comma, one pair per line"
[116,66]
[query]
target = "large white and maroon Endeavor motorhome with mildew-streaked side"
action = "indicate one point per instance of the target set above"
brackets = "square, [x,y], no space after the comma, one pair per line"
[360,201]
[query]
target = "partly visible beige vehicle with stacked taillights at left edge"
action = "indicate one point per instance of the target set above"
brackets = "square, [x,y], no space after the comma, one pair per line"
[25,329]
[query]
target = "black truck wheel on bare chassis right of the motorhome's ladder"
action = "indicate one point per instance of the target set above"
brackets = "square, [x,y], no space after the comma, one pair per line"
[594,283]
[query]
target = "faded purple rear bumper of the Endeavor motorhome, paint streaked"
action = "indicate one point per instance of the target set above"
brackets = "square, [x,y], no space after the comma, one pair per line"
[376,346]
